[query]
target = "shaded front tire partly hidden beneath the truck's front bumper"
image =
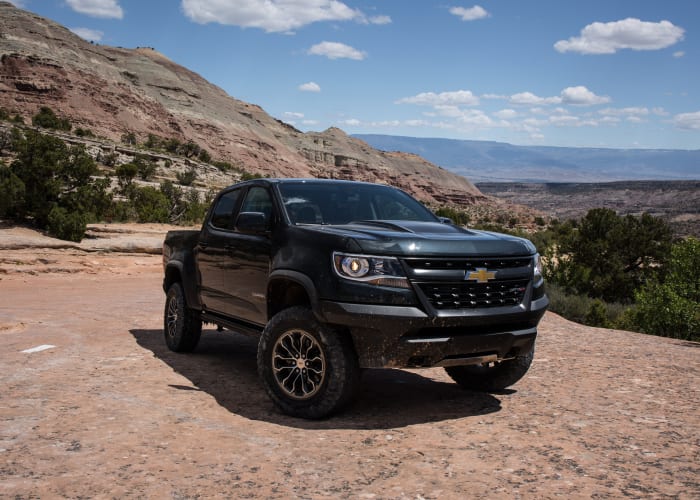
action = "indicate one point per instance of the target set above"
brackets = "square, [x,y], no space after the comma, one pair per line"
[491,377]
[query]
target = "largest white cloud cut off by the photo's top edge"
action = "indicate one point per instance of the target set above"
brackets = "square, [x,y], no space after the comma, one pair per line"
[269,15]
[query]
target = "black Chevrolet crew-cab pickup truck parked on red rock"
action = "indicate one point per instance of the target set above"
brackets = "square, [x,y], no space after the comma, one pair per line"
[336,276]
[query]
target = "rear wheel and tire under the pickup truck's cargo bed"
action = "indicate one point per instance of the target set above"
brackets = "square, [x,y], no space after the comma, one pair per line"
[182,326]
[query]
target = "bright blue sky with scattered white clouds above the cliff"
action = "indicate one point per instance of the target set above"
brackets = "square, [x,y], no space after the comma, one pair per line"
[594,73]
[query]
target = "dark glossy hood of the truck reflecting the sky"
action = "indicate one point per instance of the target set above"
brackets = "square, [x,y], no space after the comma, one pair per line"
[407,238]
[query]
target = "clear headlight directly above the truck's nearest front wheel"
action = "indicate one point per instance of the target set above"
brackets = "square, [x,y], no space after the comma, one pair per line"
[381,271]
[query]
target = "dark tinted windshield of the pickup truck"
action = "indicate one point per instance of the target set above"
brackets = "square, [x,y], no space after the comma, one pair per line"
[341,203]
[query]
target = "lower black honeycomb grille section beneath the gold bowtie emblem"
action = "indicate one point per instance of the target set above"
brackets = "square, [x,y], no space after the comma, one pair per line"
[473,295]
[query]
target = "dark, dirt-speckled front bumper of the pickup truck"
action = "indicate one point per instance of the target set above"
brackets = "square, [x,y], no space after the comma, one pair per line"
[407,337]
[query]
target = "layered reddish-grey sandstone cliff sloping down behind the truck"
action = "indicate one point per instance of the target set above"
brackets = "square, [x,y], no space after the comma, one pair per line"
[112,91]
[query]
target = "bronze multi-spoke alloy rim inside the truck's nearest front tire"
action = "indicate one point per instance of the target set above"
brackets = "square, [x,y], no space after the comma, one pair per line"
[299,365]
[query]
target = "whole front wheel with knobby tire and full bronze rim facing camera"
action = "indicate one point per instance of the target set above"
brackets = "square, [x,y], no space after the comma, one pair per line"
[309,369]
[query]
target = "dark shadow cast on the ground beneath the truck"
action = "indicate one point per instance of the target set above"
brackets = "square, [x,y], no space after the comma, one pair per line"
[224,366]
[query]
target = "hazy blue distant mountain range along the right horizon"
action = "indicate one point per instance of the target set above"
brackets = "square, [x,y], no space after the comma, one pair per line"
[483,161]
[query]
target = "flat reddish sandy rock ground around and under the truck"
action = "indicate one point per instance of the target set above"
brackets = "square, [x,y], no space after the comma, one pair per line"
[108,412]
